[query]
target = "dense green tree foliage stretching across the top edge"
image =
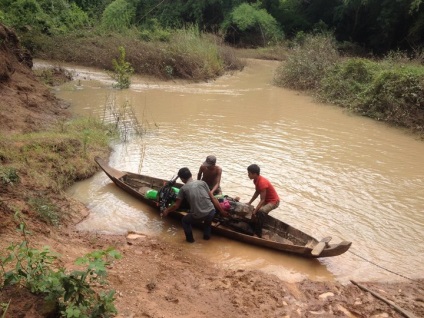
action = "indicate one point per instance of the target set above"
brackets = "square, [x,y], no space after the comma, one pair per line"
[377,25]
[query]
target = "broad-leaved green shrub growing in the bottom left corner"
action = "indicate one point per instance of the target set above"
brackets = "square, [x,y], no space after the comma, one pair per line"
[71,294]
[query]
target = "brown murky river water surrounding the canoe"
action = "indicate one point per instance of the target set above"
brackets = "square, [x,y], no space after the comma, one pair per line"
[338,175]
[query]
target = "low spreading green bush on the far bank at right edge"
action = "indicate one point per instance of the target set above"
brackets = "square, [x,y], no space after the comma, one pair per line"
[391,90]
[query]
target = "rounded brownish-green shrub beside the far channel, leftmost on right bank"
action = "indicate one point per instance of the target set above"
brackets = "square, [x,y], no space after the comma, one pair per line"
[307,63]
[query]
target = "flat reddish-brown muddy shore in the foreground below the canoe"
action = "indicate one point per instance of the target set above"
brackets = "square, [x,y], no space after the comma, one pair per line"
[157,279]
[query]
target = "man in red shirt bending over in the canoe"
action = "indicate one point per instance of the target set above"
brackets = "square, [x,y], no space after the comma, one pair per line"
[269,199]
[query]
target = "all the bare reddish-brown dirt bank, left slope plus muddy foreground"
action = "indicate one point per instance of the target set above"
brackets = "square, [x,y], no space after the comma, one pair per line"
[153,278]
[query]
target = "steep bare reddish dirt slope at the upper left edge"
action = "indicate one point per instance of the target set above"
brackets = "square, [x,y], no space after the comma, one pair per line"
[25,104]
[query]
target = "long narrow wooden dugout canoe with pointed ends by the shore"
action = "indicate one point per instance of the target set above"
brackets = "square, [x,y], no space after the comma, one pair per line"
[277,235]
